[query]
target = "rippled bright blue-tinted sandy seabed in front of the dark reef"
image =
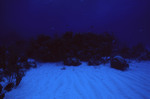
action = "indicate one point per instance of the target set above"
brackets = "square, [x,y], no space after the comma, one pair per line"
[48,81]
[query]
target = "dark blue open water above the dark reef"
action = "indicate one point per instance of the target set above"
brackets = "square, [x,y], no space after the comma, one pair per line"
[128,19]
